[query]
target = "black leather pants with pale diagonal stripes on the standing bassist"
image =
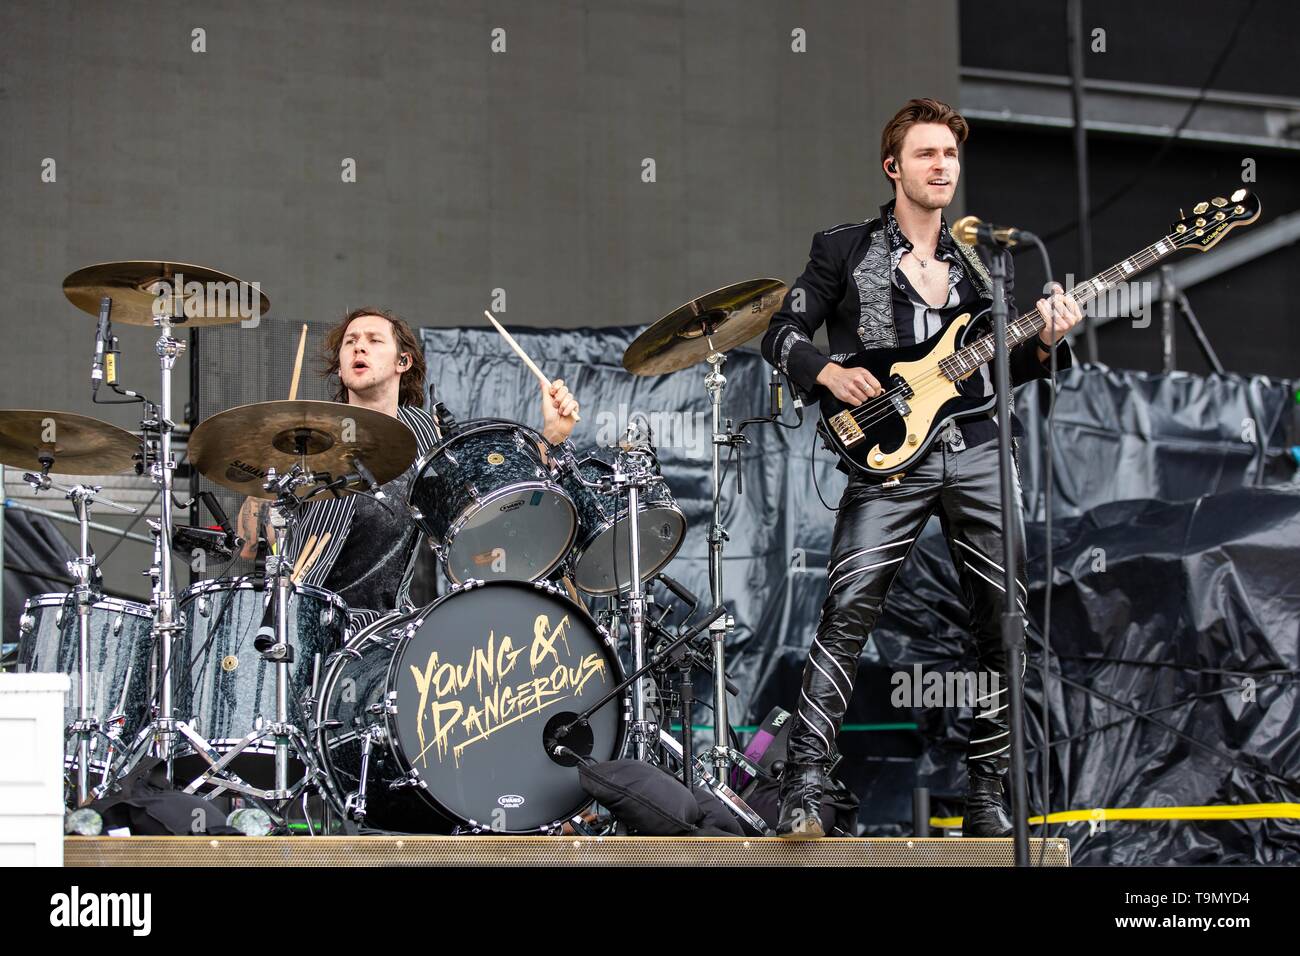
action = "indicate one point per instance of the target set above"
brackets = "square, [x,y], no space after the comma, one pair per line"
[874,533]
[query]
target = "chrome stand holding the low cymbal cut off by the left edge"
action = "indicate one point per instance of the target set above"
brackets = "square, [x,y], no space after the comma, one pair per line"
[86,590]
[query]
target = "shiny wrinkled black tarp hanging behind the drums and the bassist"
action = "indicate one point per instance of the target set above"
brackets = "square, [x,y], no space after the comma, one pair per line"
[1199,594]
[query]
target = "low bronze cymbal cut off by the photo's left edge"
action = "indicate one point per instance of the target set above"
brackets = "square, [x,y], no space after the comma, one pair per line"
[80,444]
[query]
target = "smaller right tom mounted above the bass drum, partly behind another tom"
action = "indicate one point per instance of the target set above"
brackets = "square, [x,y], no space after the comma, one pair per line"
[603,539]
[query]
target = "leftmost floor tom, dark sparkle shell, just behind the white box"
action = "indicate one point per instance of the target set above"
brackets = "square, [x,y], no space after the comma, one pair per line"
[119,655]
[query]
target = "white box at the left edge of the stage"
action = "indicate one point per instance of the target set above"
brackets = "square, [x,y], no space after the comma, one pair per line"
[32,769]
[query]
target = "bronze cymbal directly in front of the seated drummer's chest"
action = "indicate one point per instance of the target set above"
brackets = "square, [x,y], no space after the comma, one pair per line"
[237,447]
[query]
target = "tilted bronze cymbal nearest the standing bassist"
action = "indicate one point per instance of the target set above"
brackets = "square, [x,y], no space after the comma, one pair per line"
[718,322]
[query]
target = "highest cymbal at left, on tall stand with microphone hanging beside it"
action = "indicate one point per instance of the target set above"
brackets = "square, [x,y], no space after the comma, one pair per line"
[206,297]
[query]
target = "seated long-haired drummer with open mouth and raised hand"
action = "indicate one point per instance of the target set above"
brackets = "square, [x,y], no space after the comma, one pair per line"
[371,555]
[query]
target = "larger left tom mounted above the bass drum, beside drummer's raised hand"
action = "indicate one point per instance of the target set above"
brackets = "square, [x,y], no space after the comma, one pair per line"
[493,504]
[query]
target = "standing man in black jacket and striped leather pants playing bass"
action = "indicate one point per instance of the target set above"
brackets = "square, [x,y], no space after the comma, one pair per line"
[889,283]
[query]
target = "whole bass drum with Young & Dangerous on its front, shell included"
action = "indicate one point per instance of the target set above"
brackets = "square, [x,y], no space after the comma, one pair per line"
[454,699]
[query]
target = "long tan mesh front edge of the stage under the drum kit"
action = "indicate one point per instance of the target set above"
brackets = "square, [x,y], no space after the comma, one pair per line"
[548,851]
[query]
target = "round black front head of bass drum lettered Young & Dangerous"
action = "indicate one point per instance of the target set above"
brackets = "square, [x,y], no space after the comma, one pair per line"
[475,686]
